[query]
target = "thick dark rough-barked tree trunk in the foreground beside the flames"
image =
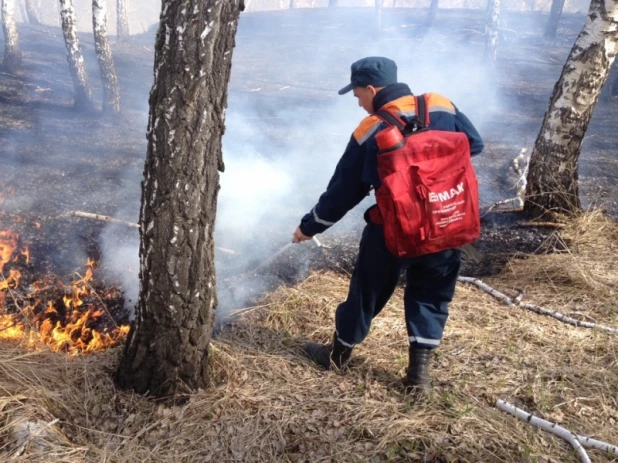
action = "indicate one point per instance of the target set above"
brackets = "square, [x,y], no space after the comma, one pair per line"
[167,347]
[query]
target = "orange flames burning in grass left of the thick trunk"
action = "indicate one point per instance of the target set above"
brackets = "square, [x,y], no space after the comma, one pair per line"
[65,317]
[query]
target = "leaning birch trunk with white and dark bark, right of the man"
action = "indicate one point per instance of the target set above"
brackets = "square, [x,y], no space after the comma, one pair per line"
[553,174]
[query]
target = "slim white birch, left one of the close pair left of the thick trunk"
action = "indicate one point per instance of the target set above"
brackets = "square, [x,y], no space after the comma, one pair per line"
[83,92]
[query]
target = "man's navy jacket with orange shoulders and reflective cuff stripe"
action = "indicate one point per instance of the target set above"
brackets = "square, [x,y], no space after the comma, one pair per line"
[357,170]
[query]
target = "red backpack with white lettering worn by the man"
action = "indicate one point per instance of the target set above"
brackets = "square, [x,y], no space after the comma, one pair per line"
[428,199]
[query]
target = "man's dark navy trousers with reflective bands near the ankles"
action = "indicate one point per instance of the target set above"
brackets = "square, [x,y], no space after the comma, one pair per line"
[430,286]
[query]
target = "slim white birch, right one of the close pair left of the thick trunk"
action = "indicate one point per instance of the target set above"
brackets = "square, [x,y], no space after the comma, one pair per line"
[111,92]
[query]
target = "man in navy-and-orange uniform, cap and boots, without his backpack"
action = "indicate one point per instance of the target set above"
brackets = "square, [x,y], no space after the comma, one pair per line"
[430,278]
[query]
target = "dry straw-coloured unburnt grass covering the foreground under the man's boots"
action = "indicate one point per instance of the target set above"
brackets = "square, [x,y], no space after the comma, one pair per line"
[268,404]
